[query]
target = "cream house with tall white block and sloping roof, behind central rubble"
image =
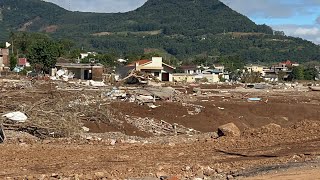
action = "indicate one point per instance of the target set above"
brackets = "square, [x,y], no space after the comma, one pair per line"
[156,67]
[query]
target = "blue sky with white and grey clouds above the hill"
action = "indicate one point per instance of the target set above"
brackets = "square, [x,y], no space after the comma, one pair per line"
[300,18]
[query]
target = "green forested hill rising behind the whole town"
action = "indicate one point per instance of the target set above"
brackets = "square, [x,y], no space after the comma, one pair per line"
[182,28]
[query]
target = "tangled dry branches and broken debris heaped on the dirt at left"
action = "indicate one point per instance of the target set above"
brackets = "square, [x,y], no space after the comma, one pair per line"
[56,112]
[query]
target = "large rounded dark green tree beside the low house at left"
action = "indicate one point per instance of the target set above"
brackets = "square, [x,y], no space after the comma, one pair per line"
[43,53]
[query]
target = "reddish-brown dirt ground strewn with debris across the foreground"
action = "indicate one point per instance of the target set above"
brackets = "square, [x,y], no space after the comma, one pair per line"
[125,140]
